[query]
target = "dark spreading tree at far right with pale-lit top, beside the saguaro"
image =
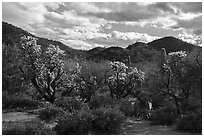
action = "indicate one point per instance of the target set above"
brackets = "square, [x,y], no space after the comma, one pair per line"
[179,76]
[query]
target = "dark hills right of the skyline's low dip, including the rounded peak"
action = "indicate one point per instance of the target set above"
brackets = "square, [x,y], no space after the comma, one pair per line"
[139,51]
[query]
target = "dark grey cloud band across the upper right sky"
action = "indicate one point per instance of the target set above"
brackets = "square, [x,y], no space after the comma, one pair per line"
[133,11]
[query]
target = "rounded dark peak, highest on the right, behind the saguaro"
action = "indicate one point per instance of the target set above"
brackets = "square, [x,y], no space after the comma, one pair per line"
[171,44]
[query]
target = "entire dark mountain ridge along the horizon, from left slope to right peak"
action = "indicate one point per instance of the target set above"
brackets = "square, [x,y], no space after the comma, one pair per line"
[138,51]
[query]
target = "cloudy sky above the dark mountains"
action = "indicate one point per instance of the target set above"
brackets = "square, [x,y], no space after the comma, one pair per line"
[85,25]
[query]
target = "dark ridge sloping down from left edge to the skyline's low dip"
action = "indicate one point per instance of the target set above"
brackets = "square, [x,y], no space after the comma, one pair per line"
[12,34]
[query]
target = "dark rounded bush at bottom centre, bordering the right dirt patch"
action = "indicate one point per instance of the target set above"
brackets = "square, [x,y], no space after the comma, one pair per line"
[107,121]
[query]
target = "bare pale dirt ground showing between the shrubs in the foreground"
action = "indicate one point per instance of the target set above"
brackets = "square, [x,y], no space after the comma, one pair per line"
[131,127]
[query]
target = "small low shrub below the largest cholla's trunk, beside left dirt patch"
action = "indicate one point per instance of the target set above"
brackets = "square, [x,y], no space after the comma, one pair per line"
[50,113]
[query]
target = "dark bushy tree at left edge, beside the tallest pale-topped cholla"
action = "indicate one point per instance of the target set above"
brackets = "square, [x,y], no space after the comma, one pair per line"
[11,76]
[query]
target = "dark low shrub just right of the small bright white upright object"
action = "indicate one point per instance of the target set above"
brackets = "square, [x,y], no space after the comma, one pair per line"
[164,116]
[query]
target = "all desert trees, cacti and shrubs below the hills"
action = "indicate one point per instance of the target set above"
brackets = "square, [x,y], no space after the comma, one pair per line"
[87,97]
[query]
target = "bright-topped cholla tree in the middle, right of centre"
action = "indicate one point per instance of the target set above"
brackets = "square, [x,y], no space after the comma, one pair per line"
[123,80]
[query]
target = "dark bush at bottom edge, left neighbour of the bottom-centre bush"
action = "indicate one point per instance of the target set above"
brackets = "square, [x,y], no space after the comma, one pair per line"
[77,123]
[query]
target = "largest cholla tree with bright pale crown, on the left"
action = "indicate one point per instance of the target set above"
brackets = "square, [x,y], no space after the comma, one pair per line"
[44,69]
